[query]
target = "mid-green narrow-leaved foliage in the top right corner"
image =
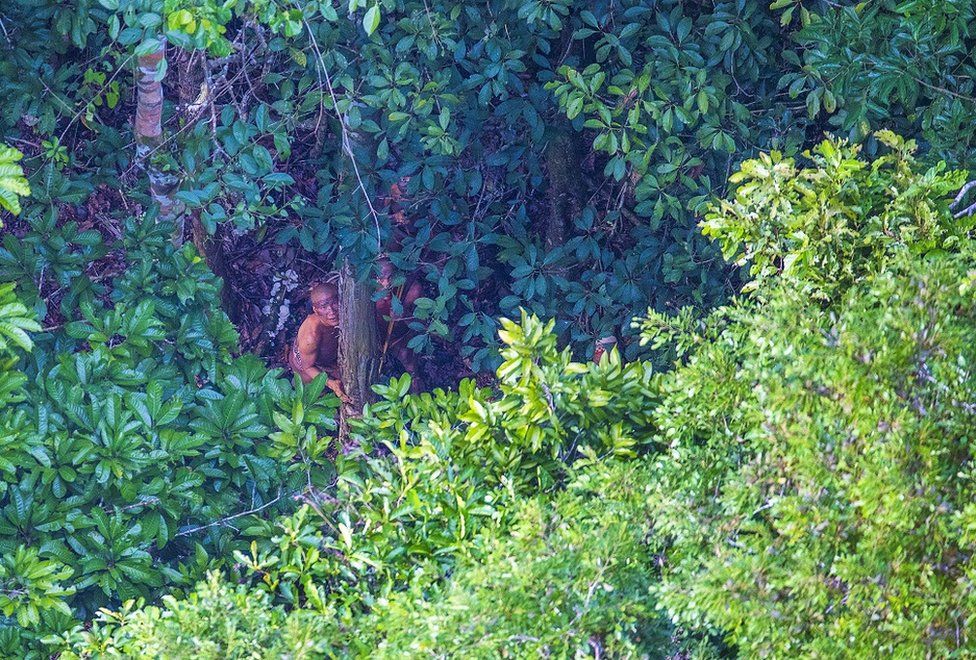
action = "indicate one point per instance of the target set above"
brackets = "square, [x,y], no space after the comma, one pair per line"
[905,66]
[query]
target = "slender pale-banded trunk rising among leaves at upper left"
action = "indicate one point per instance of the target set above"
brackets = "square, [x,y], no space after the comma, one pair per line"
[149,129]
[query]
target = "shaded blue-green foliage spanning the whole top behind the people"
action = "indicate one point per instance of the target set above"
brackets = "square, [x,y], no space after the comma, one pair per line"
[554,156]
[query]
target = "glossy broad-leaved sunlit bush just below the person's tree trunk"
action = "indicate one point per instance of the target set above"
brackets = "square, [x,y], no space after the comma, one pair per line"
[434,470]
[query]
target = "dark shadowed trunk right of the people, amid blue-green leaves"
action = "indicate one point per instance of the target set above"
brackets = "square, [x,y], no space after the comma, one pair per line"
[565,192]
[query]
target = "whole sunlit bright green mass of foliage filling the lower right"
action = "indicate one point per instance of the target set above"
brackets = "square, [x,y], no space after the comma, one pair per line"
[805,491]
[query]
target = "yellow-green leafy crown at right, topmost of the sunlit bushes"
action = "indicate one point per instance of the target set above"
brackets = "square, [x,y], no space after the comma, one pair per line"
[828,225]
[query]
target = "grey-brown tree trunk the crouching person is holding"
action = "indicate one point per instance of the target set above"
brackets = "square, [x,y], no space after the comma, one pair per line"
[358,342]
